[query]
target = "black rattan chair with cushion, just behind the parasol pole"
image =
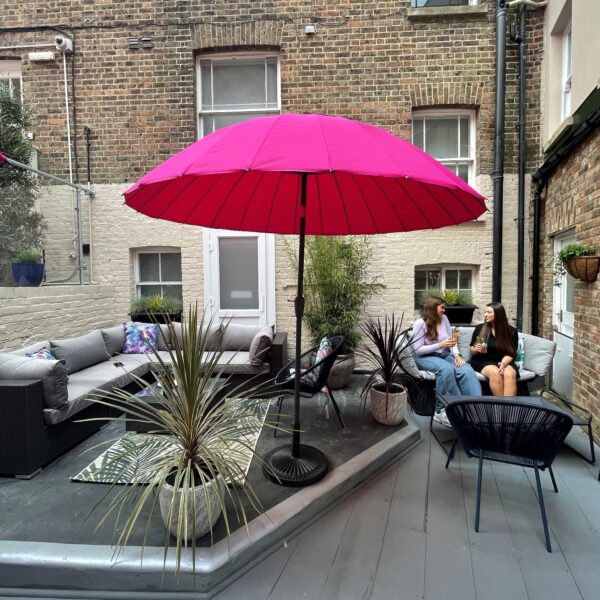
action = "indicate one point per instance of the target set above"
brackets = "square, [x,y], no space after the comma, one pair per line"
[313,378]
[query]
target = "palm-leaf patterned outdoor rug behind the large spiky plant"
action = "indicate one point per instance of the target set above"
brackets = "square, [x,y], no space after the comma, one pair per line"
[135,451]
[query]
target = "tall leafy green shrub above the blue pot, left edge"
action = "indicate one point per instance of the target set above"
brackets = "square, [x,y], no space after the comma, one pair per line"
[21,226]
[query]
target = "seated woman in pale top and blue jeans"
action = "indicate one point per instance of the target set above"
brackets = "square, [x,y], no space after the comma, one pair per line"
[436,350]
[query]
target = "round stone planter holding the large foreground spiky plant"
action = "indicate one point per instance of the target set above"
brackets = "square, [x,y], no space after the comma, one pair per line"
[203,523]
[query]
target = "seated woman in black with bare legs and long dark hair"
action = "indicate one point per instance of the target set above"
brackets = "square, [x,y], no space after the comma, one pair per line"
[494,347]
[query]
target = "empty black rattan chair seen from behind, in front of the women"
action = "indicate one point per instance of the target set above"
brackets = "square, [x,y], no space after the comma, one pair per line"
[511,432]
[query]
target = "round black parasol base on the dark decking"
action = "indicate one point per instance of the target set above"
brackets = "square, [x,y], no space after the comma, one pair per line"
[282,468]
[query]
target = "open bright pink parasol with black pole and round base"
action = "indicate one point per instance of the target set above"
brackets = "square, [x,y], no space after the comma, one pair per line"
[304,174]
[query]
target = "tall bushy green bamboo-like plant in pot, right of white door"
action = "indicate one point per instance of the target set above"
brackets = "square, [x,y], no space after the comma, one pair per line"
[337,286]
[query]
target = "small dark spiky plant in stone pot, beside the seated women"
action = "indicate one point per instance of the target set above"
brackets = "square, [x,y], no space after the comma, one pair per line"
[388,397]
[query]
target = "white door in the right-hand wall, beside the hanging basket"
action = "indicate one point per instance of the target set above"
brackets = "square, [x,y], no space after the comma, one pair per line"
[563,321]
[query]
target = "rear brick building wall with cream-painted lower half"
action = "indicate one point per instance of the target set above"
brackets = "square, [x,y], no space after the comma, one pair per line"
[133,80]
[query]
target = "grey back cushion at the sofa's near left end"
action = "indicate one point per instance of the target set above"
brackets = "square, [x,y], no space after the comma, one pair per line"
[52,373]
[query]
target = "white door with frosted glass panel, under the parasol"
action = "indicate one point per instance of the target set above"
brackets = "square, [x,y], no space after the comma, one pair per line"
[239,276]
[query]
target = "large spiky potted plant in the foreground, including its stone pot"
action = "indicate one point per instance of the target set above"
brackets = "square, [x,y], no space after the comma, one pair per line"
[209,439]
